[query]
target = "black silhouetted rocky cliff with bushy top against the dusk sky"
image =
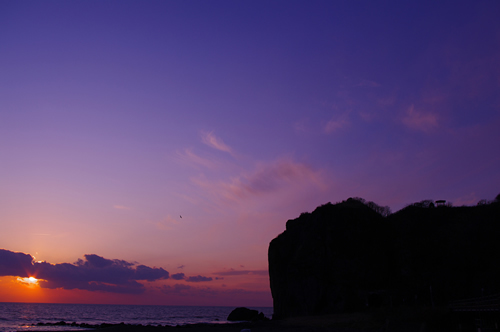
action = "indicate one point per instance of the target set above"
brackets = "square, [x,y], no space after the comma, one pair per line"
[356,255]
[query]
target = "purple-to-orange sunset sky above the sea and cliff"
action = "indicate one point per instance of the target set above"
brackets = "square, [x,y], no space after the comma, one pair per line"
[150,151]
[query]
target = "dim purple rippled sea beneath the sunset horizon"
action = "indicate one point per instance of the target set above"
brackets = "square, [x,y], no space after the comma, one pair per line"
[21,316]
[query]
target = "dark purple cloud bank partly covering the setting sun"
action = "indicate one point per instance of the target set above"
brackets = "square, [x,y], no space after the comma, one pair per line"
[94,273]
